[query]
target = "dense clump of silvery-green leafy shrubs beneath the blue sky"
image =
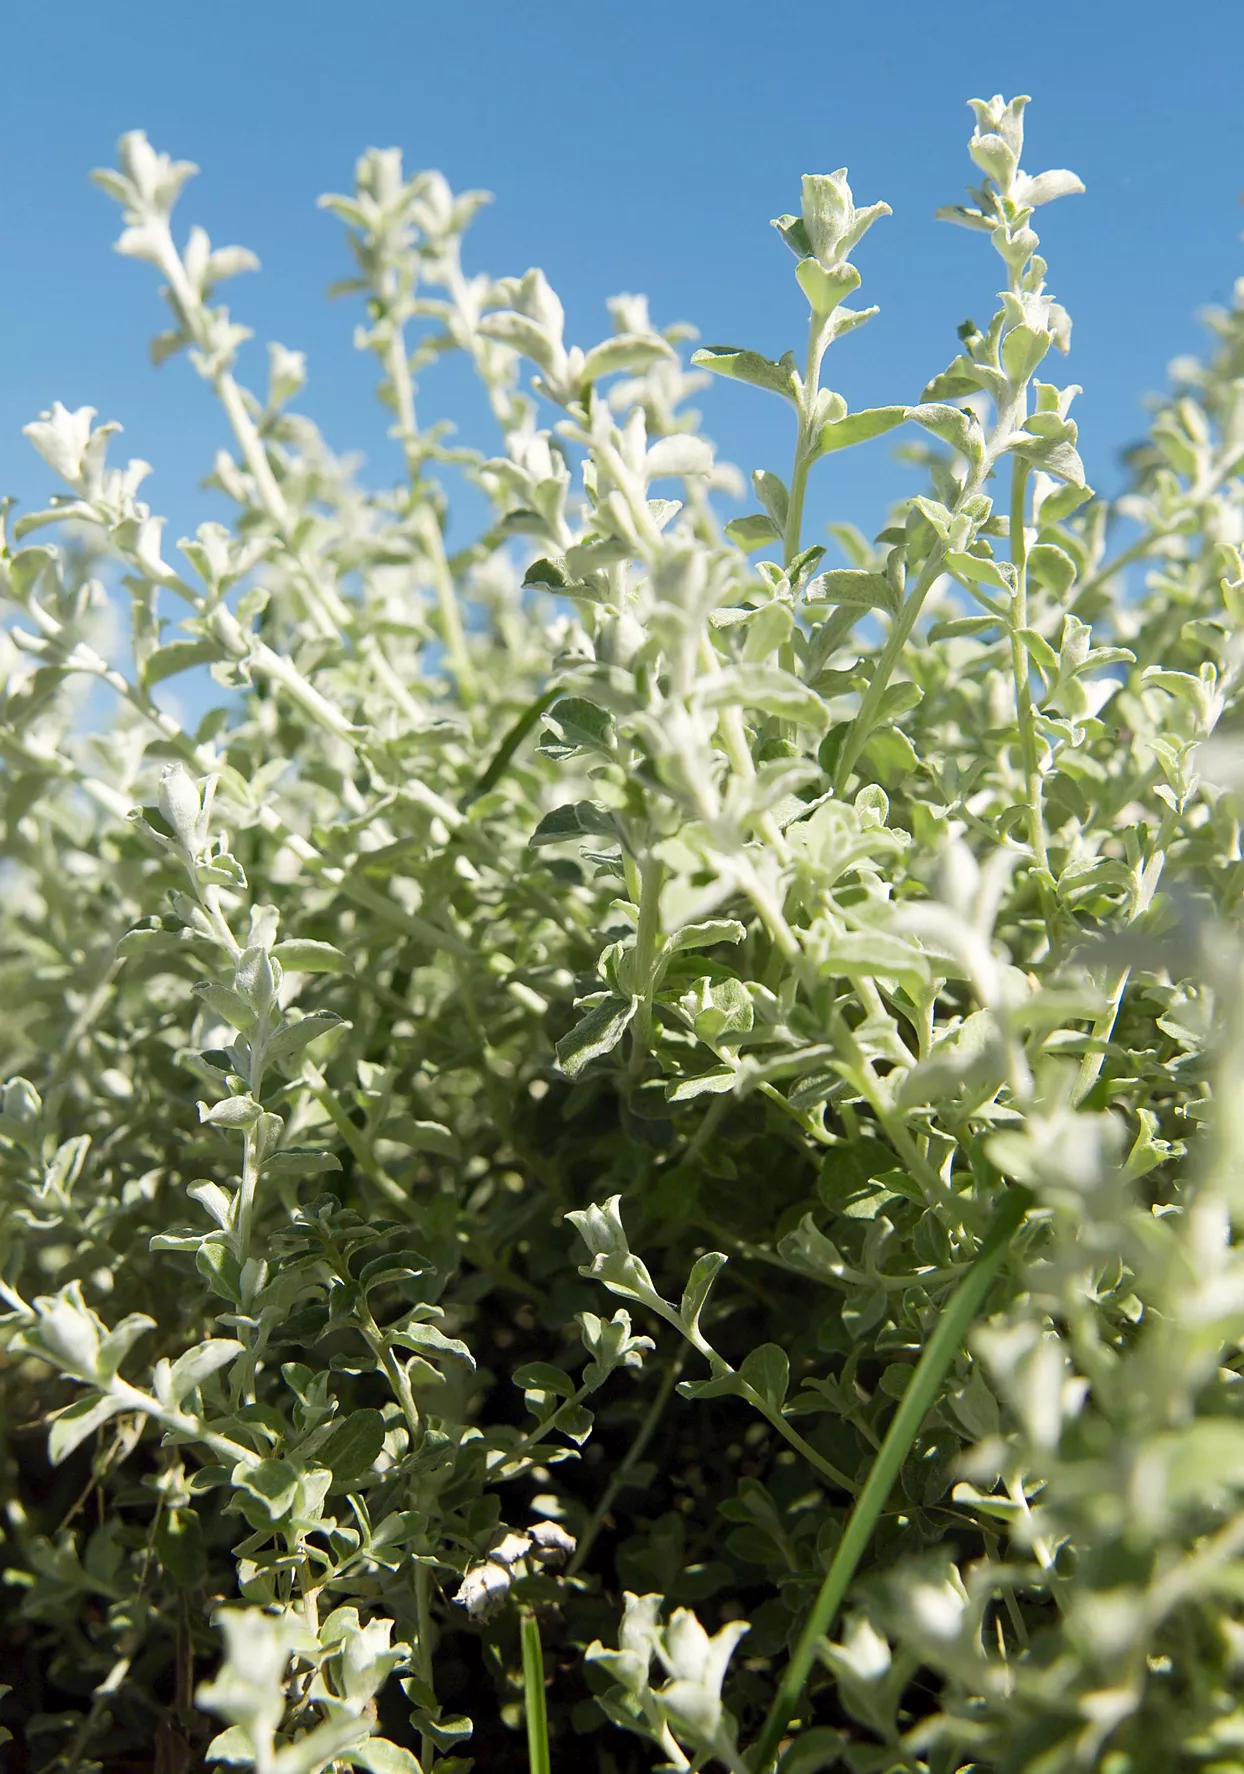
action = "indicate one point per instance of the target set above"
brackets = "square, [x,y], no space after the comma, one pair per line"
[631,1152]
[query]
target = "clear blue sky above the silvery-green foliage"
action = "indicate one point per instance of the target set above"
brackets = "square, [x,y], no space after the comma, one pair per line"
[638,146]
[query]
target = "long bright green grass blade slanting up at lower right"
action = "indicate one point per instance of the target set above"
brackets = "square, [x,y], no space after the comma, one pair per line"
[915,1406]
